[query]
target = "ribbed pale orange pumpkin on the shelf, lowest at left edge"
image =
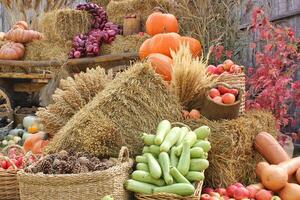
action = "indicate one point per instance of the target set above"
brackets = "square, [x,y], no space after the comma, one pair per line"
[12,51]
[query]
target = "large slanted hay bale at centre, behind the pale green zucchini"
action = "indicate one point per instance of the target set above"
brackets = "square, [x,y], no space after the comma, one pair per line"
[134,102]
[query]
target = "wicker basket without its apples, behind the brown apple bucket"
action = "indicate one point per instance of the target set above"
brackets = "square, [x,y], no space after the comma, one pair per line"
[237,81]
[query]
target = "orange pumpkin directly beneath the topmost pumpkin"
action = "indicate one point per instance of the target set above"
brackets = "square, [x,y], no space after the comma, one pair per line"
[164,43]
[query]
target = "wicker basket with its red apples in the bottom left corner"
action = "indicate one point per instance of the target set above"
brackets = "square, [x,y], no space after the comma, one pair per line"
[12,159]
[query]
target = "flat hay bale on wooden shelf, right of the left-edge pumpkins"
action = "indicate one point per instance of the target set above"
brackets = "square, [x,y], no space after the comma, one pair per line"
[47,50]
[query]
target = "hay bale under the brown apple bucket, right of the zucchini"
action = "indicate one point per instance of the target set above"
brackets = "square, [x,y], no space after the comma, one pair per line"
[233,157]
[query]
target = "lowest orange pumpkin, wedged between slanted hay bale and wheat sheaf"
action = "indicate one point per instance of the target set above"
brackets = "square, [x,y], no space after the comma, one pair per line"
[161,64]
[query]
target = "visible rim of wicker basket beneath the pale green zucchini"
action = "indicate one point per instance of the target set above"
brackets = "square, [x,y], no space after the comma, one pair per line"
[167,196]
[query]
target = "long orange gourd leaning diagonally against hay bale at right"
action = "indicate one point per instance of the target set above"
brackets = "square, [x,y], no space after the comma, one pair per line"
[270,149]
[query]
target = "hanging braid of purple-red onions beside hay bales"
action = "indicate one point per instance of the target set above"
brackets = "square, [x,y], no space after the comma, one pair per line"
[102,32]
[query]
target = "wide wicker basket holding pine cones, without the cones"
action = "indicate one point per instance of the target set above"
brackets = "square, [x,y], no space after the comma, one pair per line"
[91,186]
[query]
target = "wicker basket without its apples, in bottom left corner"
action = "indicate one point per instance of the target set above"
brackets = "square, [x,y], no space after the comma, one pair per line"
[9,186]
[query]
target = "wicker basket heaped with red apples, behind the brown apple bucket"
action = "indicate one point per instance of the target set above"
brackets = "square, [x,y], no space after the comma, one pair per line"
[231,74]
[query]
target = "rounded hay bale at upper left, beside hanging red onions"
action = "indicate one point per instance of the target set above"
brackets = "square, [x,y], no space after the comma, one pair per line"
[64,24]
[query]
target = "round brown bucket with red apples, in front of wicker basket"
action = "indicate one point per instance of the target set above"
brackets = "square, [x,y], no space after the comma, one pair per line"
[222,102]
